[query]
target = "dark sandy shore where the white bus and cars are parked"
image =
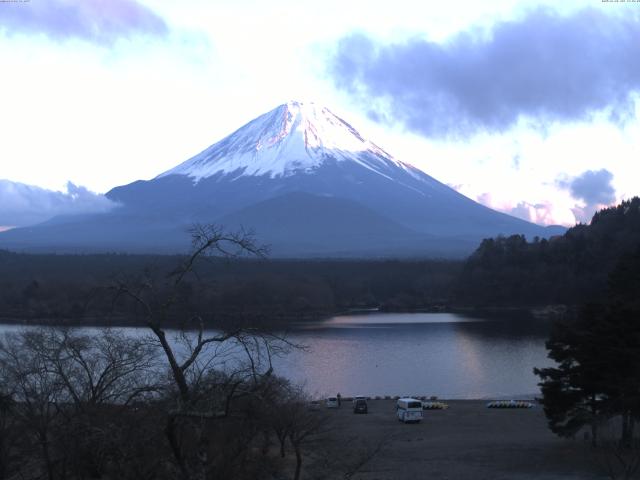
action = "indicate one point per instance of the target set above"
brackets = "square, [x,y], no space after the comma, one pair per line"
[466,441]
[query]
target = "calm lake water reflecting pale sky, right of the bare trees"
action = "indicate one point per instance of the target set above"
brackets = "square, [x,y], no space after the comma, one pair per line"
[443,354]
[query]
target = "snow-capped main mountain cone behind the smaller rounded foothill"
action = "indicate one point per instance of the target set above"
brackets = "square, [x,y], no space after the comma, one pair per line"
[304,147]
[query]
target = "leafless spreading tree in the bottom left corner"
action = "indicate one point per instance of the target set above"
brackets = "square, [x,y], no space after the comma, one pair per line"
[67,386]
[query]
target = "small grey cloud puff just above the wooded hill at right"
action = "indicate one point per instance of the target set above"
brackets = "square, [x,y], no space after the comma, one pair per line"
[593,188]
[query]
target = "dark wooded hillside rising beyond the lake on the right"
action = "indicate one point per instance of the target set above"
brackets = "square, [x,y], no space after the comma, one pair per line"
[567,269]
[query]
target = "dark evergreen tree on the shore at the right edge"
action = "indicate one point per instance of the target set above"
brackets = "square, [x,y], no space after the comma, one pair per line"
[597,377]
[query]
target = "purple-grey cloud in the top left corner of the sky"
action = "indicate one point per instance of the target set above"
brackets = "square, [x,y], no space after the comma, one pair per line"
[96,21]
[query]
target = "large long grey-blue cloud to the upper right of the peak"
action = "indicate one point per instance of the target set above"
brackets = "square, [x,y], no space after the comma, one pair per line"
[543,67]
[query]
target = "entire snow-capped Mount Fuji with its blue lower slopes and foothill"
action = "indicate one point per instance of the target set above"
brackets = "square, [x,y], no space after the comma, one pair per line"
[305,181]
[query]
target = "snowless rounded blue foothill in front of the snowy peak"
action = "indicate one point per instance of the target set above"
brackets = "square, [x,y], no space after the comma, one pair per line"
[300,223]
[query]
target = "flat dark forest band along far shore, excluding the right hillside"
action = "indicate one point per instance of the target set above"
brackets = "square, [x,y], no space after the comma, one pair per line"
[75,289]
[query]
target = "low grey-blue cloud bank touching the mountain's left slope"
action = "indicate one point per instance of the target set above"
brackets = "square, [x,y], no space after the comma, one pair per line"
[22,205]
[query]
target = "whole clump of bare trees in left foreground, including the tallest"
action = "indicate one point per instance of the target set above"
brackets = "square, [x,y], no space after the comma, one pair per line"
[170,403]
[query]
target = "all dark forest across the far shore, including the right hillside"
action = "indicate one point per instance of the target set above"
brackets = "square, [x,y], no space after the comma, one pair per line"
[504,272]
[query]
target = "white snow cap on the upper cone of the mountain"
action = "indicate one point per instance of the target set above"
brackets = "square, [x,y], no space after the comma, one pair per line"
[293,138]
